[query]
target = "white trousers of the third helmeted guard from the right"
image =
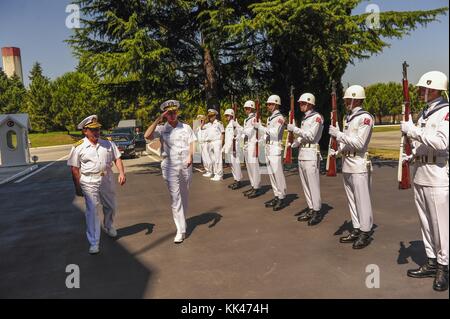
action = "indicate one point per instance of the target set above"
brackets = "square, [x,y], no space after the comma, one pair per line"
[310,179]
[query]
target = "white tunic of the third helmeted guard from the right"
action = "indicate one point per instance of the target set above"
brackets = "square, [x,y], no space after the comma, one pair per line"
[311,132]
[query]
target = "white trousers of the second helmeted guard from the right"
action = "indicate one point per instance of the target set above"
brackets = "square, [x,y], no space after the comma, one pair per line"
[358,195]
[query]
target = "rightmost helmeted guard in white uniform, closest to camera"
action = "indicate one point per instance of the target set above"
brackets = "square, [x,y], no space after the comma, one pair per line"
[430,142]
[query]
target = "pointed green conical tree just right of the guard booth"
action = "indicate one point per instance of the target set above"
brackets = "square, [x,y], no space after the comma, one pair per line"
[39,100]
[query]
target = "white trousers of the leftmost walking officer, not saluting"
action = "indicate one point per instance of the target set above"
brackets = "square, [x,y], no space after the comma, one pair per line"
[98,190]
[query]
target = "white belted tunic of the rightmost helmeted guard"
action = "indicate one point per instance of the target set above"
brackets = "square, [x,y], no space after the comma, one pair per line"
[431,144]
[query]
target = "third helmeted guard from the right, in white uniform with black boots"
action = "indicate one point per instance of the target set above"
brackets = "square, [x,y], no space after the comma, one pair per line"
[309,135]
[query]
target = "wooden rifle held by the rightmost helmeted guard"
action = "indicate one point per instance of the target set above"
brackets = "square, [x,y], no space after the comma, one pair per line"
[403,175]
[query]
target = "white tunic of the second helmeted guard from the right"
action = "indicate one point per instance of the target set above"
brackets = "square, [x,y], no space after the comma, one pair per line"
[354,143]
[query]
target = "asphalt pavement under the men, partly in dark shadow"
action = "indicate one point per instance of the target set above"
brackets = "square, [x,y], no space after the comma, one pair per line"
[235,248]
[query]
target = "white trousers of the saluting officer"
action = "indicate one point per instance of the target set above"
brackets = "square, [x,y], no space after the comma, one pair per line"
[178,179]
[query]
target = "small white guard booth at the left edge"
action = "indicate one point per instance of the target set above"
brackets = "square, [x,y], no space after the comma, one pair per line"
[14,148]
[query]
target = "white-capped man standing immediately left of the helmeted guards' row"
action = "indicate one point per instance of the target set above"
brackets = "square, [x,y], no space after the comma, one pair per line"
[215,137]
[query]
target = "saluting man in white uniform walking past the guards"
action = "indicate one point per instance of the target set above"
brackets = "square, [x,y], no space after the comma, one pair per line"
[177,152]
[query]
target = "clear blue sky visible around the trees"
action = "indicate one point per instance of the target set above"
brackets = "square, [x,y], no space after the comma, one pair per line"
[38,28]
